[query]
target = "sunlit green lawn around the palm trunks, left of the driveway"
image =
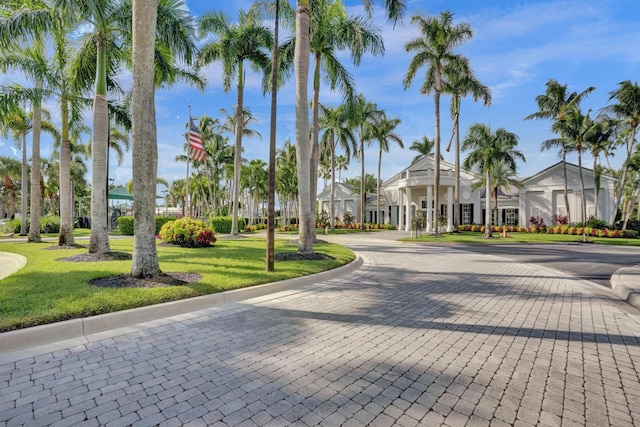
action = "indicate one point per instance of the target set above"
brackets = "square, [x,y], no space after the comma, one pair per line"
[48,289]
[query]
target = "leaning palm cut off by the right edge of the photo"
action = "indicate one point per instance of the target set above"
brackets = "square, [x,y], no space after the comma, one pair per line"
[627,110]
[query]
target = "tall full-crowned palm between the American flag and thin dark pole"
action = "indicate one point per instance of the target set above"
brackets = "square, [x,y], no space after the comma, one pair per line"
[233,43]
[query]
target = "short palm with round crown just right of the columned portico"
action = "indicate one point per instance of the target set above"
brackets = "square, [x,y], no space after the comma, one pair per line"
[489,150]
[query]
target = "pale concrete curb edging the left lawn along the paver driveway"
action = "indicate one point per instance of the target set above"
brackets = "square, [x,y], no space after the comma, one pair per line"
[22,339]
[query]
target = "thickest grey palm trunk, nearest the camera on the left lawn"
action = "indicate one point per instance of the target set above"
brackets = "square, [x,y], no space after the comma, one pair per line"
[145,149]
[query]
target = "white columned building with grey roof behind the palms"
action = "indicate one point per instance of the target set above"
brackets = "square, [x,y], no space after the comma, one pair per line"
[412,189]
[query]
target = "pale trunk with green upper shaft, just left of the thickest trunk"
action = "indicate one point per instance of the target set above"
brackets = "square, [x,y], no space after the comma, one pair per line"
[99,239]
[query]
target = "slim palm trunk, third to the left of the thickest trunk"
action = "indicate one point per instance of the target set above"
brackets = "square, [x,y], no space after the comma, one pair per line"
[36,197]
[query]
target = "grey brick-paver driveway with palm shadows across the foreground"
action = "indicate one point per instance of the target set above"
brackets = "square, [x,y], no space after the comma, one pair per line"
[418,336]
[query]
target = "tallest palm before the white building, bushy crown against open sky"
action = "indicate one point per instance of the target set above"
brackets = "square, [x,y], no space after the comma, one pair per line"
[434,49]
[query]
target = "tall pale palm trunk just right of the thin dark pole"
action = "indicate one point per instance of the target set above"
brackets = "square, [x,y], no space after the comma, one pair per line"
[301,59]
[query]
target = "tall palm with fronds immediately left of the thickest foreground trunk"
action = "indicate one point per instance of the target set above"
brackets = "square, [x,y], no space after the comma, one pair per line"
[103,51]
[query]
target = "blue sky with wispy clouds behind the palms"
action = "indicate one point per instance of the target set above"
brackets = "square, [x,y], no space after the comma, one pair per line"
[517,46]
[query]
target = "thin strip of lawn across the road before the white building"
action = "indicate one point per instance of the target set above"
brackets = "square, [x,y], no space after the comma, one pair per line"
[517,237]
